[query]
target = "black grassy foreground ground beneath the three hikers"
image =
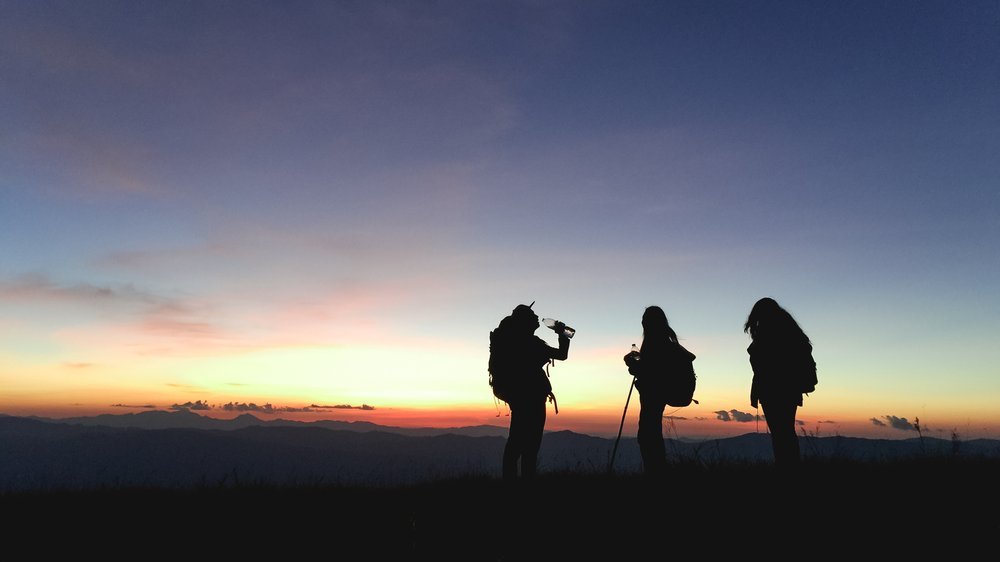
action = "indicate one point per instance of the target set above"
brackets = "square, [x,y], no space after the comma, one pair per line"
[863,509]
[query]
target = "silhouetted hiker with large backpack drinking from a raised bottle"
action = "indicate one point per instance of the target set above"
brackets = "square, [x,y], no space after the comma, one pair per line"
[517,358]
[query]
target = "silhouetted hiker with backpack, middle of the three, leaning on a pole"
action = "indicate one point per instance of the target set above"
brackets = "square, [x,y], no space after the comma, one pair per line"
[659,354]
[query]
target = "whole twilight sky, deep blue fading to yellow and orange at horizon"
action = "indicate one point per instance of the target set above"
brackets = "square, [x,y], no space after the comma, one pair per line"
[289,206]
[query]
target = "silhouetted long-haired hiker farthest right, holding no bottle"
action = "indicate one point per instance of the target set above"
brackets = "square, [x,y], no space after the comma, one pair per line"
[783,368]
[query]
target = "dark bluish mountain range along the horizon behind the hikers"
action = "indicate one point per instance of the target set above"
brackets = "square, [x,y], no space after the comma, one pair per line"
[183,449]
